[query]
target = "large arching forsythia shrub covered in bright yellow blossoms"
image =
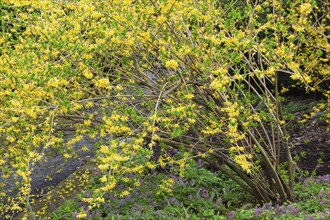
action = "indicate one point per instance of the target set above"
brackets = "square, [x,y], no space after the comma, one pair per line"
[157,85]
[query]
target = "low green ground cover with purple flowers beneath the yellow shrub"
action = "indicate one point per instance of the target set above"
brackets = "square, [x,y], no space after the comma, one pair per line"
[202,194]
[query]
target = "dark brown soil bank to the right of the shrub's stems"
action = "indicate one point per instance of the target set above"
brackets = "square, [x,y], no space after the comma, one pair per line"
[310,140]
